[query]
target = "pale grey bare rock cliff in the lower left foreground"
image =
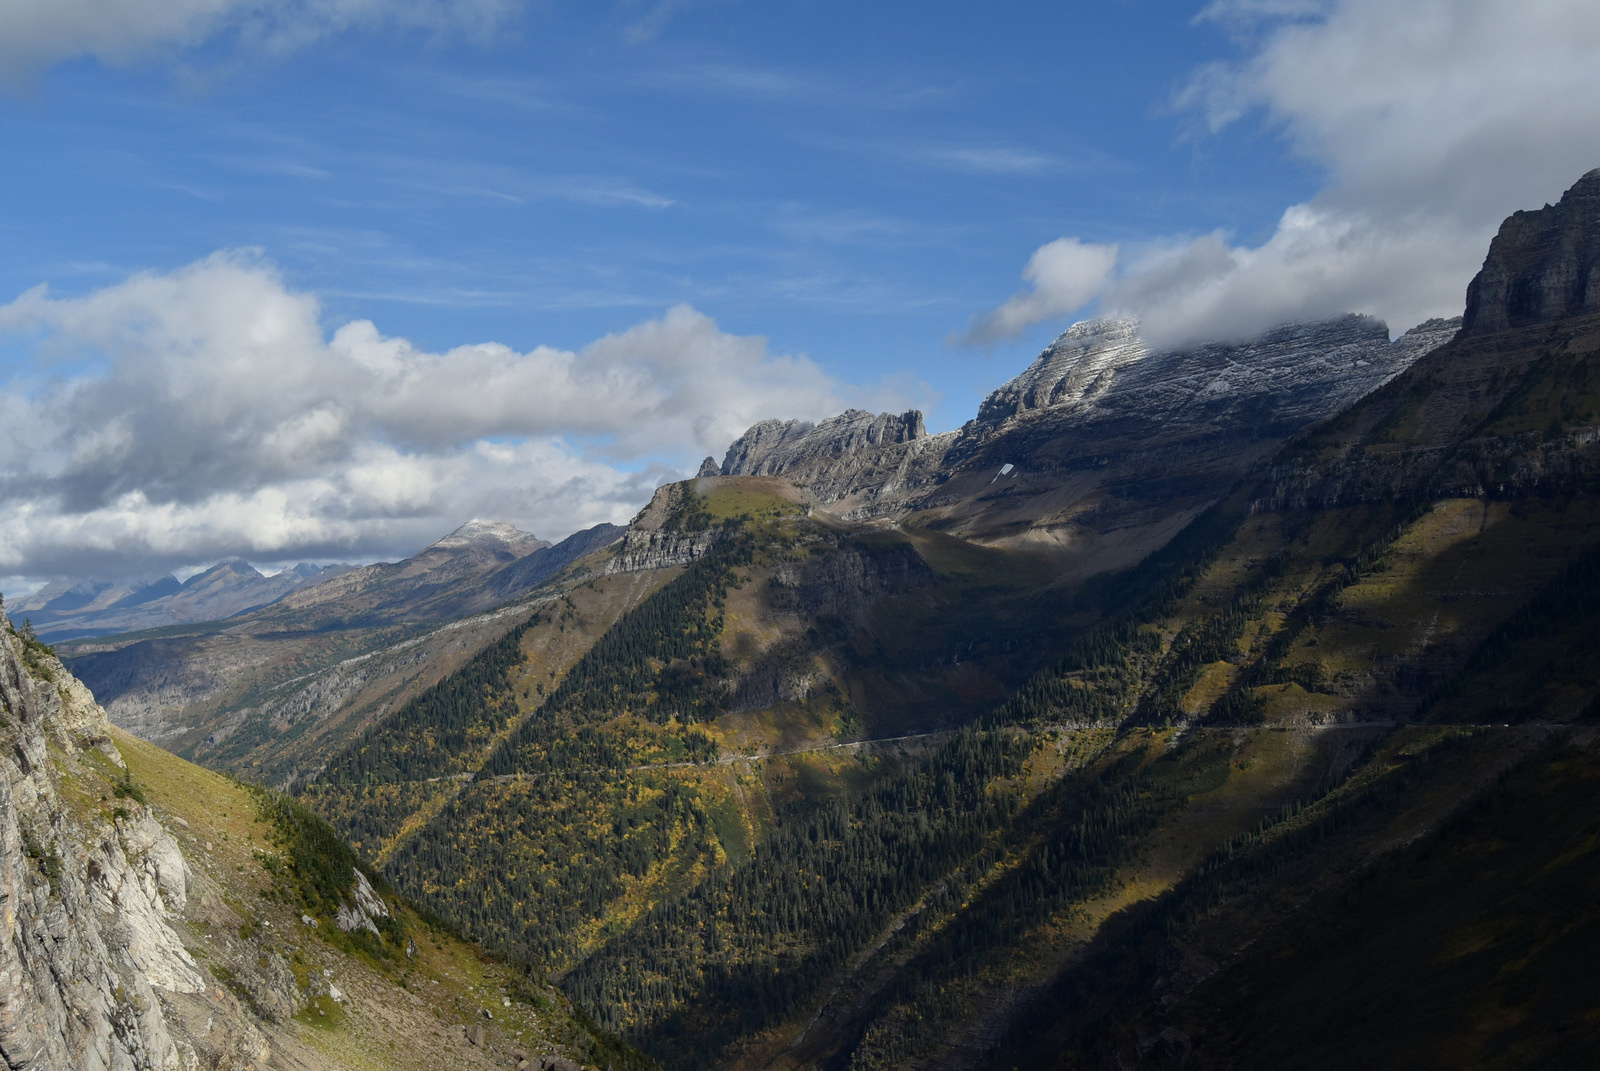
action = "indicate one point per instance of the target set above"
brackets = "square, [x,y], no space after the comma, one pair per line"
[92,974]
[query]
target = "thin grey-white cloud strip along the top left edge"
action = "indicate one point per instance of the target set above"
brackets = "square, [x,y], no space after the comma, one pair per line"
[41,33]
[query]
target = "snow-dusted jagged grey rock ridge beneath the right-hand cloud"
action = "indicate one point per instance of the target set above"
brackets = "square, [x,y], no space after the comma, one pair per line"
[1095,409]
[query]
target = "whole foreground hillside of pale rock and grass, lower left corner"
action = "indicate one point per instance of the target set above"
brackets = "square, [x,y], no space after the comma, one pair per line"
[154,915]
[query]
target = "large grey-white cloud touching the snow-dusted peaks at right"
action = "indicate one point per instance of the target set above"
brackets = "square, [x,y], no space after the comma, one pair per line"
[1433,119]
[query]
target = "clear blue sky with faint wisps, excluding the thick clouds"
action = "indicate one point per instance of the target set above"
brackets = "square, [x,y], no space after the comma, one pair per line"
[852,182]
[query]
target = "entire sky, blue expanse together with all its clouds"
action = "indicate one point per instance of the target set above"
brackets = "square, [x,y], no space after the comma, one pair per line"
[862,187]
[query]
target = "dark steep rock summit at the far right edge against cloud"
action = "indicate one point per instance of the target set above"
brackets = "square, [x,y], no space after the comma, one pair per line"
[1545,265]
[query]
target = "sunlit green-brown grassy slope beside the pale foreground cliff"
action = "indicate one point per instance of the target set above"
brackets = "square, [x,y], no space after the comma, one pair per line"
[270,880]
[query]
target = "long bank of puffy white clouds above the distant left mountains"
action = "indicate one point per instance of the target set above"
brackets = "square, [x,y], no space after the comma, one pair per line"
[185,417]
